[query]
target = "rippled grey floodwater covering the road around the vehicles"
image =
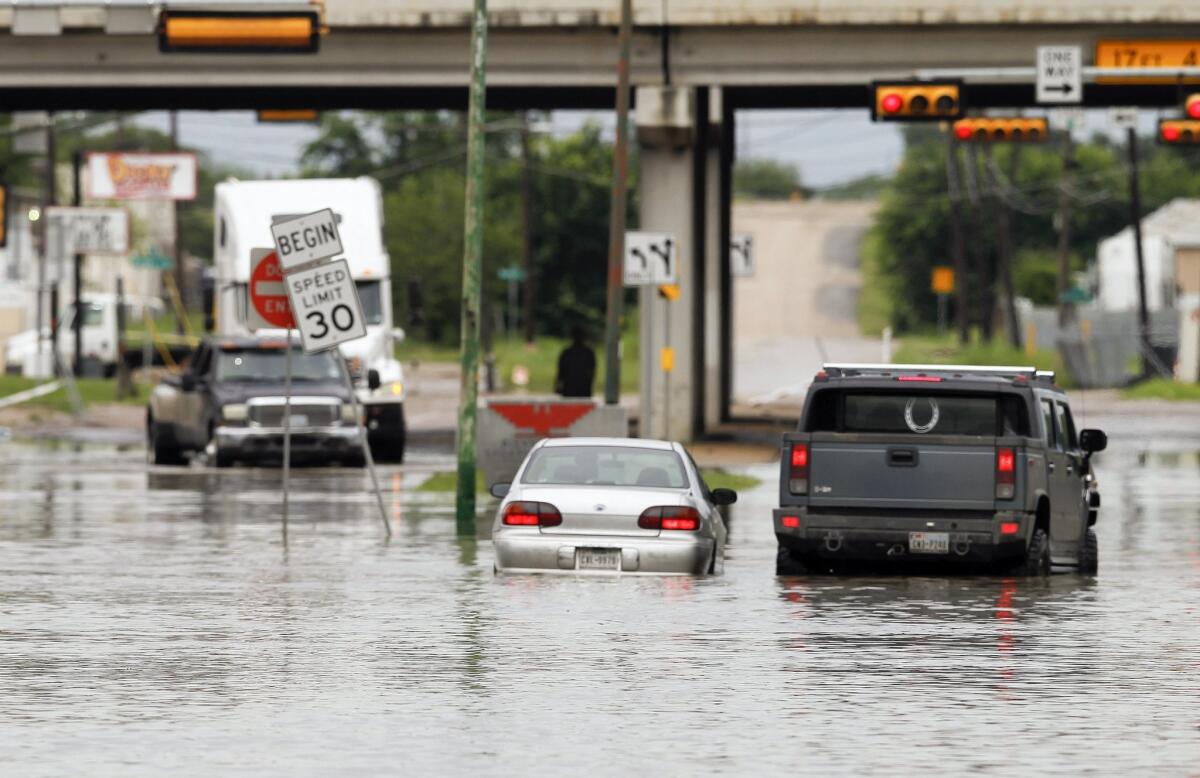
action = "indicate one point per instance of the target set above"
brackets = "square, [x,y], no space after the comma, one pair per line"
[153,624]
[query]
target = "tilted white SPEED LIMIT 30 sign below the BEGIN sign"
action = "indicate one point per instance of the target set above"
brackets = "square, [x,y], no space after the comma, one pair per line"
[326,306]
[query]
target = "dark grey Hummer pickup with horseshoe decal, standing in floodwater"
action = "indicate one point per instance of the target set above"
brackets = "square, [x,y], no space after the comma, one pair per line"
[977,466]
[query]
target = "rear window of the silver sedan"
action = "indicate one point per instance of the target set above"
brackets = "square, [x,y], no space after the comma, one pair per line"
[605,466]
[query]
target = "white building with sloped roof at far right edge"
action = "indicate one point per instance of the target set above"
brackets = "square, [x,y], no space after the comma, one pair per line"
[1166,232]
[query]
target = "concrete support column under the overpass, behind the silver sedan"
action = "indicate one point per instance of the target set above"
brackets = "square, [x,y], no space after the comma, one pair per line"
[680,194]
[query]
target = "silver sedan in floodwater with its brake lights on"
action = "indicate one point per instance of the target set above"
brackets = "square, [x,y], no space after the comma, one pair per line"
[610,506]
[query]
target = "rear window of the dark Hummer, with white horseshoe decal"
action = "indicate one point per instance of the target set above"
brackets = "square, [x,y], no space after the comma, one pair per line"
[915,414]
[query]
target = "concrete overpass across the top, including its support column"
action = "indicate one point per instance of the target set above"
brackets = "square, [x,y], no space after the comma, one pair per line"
[694,64]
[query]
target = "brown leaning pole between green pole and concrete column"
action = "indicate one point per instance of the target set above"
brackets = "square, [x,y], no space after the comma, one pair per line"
[617,216]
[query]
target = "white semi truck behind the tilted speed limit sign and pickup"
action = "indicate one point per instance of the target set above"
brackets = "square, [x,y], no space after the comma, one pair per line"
[244,214]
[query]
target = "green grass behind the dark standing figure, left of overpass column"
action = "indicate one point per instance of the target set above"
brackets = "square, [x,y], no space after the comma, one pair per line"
[541,360]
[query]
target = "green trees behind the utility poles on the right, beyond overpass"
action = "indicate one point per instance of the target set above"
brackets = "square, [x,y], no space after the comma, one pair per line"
[913,232]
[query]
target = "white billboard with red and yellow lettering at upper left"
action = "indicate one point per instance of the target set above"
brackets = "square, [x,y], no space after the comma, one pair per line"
[134,176]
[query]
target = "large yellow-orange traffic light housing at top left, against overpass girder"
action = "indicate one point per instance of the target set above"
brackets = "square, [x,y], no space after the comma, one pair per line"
[239,32]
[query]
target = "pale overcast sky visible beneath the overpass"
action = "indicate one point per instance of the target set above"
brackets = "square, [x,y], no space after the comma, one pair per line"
[829,147]
